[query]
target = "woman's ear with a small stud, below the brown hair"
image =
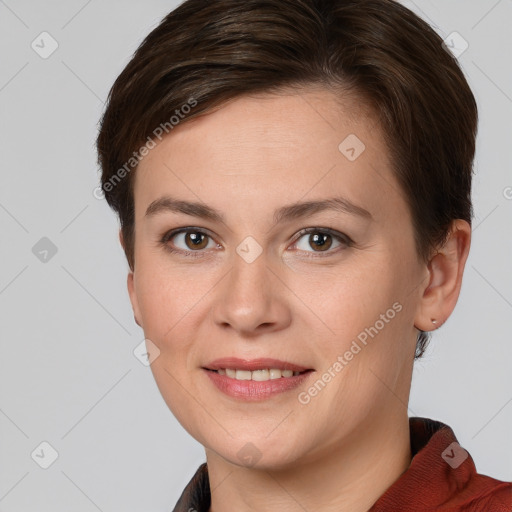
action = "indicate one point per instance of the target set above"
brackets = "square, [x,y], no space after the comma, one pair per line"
[445,268]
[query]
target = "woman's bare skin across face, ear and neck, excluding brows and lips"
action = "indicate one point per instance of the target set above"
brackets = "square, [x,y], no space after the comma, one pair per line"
[350,442]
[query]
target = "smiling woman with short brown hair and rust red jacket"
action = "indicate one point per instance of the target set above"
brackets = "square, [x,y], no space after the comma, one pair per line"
[293,181]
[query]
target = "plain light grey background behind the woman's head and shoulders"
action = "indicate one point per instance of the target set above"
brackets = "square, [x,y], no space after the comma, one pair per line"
[68,375]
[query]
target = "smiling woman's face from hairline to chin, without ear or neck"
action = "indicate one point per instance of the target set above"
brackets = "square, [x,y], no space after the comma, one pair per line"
[338,299]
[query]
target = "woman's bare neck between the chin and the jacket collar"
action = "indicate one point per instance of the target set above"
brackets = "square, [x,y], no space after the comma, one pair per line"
[349,477]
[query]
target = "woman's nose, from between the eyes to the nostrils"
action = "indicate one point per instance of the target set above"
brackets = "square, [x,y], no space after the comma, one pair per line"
[252,299]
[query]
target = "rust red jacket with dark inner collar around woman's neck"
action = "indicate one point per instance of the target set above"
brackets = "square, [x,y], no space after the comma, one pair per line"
[441,478]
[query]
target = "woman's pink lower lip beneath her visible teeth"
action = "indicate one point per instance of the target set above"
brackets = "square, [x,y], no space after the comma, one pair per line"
[253,390]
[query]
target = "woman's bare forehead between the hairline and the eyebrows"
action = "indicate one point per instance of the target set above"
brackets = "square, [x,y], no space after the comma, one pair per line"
[271,149]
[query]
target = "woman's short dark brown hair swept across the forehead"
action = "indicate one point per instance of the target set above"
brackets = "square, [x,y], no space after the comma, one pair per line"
[211,51]
